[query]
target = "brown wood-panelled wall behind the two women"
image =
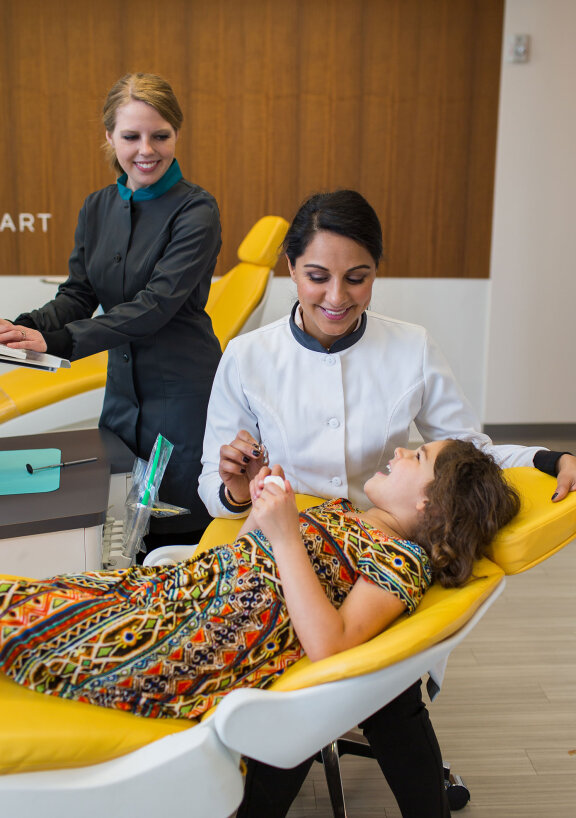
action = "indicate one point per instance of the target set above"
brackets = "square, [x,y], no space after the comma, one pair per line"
[397,98]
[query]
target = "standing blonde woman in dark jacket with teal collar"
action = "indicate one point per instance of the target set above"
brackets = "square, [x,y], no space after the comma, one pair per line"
[145,250]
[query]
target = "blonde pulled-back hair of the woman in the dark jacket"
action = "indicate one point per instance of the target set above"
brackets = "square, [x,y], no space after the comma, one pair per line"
[148,88]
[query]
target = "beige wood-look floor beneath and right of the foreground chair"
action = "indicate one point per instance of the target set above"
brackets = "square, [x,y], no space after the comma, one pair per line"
[506,716]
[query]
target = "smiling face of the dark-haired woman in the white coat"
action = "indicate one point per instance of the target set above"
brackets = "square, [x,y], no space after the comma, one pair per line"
[334,278]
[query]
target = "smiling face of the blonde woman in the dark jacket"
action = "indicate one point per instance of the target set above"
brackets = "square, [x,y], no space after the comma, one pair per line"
[144,143]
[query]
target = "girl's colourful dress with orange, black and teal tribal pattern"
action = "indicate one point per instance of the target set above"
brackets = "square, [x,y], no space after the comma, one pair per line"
[171,641]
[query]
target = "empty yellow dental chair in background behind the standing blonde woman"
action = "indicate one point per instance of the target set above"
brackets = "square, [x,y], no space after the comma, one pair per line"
[32,401]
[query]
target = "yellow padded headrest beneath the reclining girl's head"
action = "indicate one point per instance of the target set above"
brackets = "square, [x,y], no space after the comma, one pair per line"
[540,529]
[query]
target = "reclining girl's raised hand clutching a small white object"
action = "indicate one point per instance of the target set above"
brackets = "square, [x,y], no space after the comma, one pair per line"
[274,511]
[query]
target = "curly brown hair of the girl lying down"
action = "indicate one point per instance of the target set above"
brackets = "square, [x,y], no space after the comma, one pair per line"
[469,500]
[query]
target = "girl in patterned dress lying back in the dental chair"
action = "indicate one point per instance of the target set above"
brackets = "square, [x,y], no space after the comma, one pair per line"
[171,641]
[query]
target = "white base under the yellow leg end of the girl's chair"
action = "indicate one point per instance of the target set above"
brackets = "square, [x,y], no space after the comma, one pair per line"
[188,773]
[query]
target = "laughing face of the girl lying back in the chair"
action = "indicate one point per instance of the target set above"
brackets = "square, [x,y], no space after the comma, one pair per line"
[409,473]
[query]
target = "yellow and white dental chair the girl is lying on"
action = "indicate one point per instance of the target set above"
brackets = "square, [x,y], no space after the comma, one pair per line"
[65,758]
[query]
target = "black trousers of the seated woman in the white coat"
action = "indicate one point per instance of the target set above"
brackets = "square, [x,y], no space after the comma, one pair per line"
[404,743]
